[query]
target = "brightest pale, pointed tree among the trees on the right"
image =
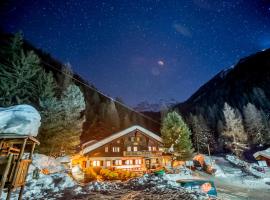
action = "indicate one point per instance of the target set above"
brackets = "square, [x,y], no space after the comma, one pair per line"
[234,129]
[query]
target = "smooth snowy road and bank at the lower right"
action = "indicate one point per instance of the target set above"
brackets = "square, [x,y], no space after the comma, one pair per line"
[233,183]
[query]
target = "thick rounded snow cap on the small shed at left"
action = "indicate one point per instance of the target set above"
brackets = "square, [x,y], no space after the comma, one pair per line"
[20,119]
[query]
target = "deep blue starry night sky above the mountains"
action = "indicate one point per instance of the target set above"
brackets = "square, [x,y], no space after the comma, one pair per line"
[143,50]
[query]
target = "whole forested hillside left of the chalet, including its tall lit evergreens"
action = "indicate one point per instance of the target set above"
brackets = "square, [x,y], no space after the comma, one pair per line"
[71,108]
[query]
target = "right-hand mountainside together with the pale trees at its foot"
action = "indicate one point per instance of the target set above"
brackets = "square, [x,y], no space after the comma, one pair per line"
[235,99]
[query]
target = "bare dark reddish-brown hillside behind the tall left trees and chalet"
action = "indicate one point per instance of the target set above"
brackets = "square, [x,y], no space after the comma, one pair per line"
[99,108]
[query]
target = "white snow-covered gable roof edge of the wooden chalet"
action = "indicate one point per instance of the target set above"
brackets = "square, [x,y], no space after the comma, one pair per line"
[117,135]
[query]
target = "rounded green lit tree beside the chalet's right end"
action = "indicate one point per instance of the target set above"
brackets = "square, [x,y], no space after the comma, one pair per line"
[176,136]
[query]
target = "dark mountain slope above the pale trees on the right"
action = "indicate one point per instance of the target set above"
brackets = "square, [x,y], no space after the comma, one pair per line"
[246,82]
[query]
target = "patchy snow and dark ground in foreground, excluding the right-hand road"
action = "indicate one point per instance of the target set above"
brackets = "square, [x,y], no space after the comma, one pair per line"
[60,185]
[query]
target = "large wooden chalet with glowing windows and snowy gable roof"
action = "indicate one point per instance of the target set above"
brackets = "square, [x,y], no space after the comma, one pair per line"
[134,148]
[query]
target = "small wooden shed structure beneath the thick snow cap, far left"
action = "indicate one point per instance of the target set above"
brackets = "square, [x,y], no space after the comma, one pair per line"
[13,165]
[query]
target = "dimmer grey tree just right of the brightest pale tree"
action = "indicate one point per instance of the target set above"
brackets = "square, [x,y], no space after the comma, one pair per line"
[253,123]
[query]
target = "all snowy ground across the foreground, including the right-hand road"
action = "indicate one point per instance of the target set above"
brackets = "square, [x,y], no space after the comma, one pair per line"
[230,181]
